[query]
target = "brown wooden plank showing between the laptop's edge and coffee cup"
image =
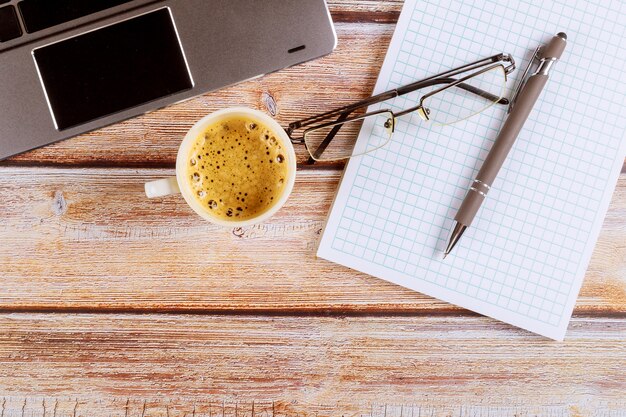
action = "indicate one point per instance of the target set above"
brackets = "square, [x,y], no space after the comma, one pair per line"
[152,140]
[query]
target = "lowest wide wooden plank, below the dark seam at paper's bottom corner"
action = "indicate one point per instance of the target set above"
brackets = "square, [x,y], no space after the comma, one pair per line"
[438,361]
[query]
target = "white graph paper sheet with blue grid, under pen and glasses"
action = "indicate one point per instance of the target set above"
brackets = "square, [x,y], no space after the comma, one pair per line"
[524,258]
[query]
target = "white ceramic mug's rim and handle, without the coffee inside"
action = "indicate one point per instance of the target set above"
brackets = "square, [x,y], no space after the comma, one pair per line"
[180,183]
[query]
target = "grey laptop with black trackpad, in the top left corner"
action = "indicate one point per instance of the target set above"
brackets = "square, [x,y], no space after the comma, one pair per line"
[71,66]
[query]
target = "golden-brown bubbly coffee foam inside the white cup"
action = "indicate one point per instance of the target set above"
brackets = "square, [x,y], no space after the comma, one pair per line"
[237,169]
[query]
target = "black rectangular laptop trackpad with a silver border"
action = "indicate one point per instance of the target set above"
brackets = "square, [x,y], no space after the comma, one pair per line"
[113,68]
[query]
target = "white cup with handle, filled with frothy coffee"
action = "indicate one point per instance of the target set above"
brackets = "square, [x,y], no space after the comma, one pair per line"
[235,167]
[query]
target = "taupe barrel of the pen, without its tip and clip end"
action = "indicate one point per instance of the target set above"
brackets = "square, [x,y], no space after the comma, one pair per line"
[500,149]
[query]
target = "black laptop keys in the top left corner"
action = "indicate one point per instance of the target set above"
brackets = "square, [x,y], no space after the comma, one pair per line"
[38,15]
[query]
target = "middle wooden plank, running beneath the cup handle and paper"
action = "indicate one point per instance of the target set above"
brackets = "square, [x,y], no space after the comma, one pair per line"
[88,238]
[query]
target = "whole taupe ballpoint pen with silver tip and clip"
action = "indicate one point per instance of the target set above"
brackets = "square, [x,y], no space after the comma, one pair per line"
[521,106]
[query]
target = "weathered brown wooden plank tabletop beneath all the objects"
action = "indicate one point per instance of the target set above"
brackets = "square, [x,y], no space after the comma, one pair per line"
[115,305]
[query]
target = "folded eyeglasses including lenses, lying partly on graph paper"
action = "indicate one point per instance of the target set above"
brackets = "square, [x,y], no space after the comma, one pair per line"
[445,98]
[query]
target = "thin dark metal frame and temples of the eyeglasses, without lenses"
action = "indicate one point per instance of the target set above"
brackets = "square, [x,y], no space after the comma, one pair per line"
[343,113]
